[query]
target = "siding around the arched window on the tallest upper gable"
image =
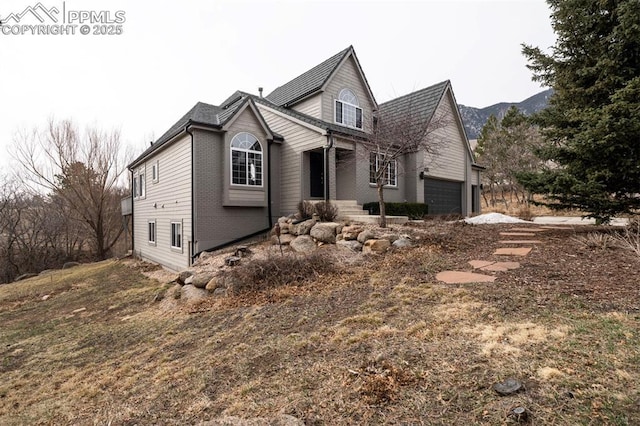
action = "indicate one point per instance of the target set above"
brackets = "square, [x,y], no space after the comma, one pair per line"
[347,77]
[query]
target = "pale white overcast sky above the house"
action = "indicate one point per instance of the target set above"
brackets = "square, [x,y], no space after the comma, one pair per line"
[172,54]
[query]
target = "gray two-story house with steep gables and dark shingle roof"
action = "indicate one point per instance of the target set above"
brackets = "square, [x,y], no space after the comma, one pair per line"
[224,173]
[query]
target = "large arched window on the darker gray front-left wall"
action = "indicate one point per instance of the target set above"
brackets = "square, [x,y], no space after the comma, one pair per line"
[246,160]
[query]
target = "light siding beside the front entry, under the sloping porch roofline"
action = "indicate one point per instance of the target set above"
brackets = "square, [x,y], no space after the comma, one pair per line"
[297,139]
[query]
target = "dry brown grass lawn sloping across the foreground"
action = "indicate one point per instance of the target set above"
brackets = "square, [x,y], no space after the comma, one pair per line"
[375,343]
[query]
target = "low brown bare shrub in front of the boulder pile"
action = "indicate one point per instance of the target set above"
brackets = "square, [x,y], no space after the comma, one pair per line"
[278,271]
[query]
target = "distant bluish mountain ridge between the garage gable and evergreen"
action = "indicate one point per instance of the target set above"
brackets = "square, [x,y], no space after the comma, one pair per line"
[475,118]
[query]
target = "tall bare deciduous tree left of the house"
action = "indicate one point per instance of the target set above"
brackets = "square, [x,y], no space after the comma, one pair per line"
[82,169]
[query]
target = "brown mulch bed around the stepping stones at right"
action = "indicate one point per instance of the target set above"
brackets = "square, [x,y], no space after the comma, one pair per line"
[560,269]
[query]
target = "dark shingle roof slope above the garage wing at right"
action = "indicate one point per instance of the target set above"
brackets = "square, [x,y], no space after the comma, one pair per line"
[422,102]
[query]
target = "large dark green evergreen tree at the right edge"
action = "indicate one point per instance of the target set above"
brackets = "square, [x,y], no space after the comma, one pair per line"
[592,124]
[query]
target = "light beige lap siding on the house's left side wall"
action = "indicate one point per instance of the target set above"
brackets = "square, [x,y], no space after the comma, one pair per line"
[167,199]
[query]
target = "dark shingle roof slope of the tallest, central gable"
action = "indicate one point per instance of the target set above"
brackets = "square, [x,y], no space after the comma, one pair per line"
[308,82]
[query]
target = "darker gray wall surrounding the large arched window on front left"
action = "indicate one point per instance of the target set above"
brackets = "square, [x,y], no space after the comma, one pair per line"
[244,210]
